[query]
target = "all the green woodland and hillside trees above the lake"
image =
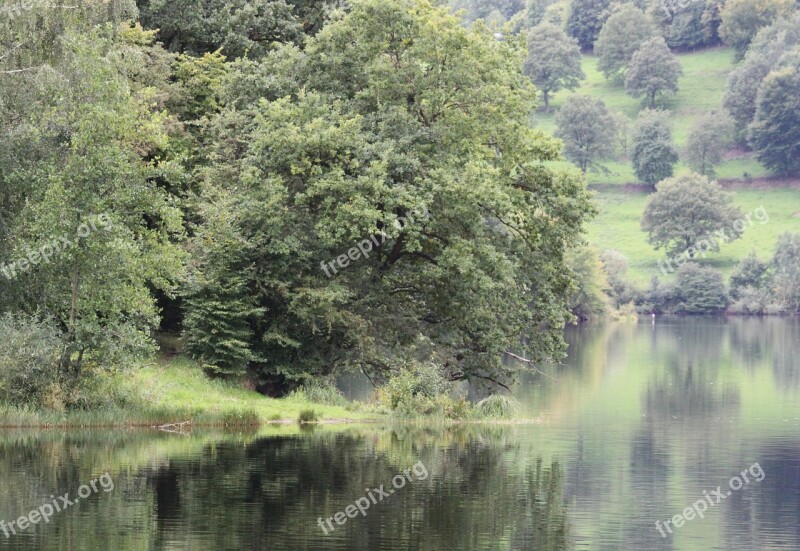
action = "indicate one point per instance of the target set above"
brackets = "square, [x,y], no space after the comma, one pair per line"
[250,176]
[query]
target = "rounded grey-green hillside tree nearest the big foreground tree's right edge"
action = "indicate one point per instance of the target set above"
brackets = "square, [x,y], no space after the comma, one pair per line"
[584,125]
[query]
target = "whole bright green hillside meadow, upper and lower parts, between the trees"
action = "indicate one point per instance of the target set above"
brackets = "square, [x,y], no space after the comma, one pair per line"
[702,88]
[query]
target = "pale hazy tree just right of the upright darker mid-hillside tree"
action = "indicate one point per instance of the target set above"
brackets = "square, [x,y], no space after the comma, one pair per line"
[708,138]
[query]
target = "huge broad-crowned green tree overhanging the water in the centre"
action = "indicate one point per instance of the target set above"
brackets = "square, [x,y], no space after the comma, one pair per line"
[391,110]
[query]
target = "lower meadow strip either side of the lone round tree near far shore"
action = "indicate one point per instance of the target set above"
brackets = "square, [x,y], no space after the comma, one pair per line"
[617,227]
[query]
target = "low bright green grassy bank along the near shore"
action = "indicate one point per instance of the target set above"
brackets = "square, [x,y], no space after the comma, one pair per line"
[177,391]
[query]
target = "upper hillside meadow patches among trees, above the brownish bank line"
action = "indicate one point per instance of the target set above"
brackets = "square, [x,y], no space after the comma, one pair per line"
[702,88]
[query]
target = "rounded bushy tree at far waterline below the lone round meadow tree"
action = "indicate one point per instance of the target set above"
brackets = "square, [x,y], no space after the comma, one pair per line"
[698,290]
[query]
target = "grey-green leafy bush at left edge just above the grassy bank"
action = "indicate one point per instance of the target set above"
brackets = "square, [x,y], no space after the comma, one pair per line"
[30,349]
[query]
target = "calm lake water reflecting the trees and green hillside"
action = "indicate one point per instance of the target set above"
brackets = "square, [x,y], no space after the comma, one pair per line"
[641,421]
